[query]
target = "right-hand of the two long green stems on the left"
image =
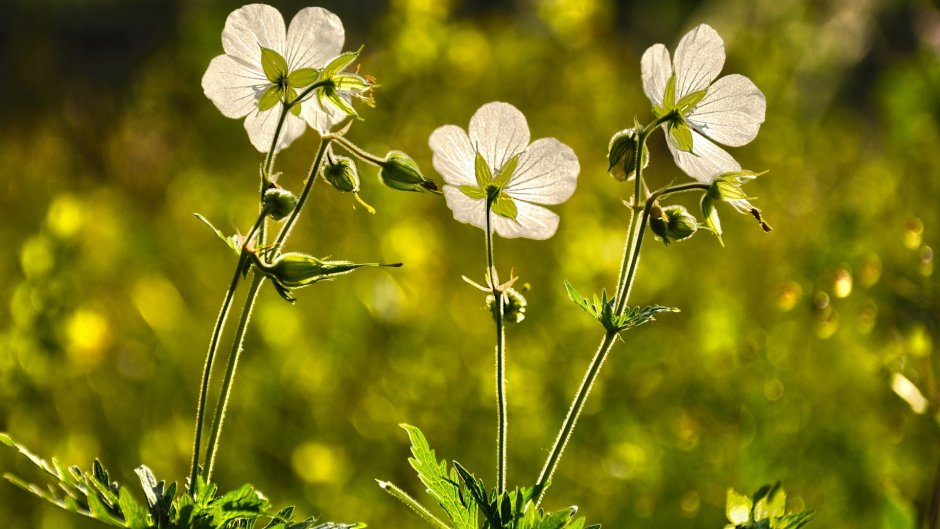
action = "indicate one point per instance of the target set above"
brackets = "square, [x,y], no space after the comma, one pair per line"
[252,295]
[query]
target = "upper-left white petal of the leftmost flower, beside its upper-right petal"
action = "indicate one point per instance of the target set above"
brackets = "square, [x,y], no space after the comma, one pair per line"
[249,28]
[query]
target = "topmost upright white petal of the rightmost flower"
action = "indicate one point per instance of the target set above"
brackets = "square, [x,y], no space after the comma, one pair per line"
[699,58]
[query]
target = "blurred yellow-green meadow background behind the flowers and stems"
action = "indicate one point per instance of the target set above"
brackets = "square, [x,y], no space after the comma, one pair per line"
[779,367]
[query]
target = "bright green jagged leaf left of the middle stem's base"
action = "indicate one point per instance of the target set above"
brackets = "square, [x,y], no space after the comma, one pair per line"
[441,485]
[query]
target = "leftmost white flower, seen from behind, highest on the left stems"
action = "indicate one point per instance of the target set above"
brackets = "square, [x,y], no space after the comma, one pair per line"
[242,83]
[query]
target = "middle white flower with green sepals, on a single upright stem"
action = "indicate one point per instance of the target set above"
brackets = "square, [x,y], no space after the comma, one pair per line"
[496,158]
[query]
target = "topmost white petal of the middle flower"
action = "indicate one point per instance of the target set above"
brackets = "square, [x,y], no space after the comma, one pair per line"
[498,131]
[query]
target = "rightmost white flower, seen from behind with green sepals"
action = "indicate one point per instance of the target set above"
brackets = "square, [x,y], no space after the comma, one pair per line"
[728,111]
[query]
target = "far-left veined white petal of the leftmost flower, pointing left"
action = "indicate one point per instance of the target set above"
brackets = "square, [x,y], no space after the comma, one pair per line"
[233,86]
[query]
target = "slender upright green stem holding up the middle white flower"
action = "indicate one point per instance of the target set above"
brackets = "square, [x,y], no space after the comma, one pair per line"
[502,423]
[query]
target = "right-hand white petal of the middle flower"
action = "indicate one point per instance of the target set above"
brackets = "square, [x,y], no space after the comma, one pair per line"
[547,173]
